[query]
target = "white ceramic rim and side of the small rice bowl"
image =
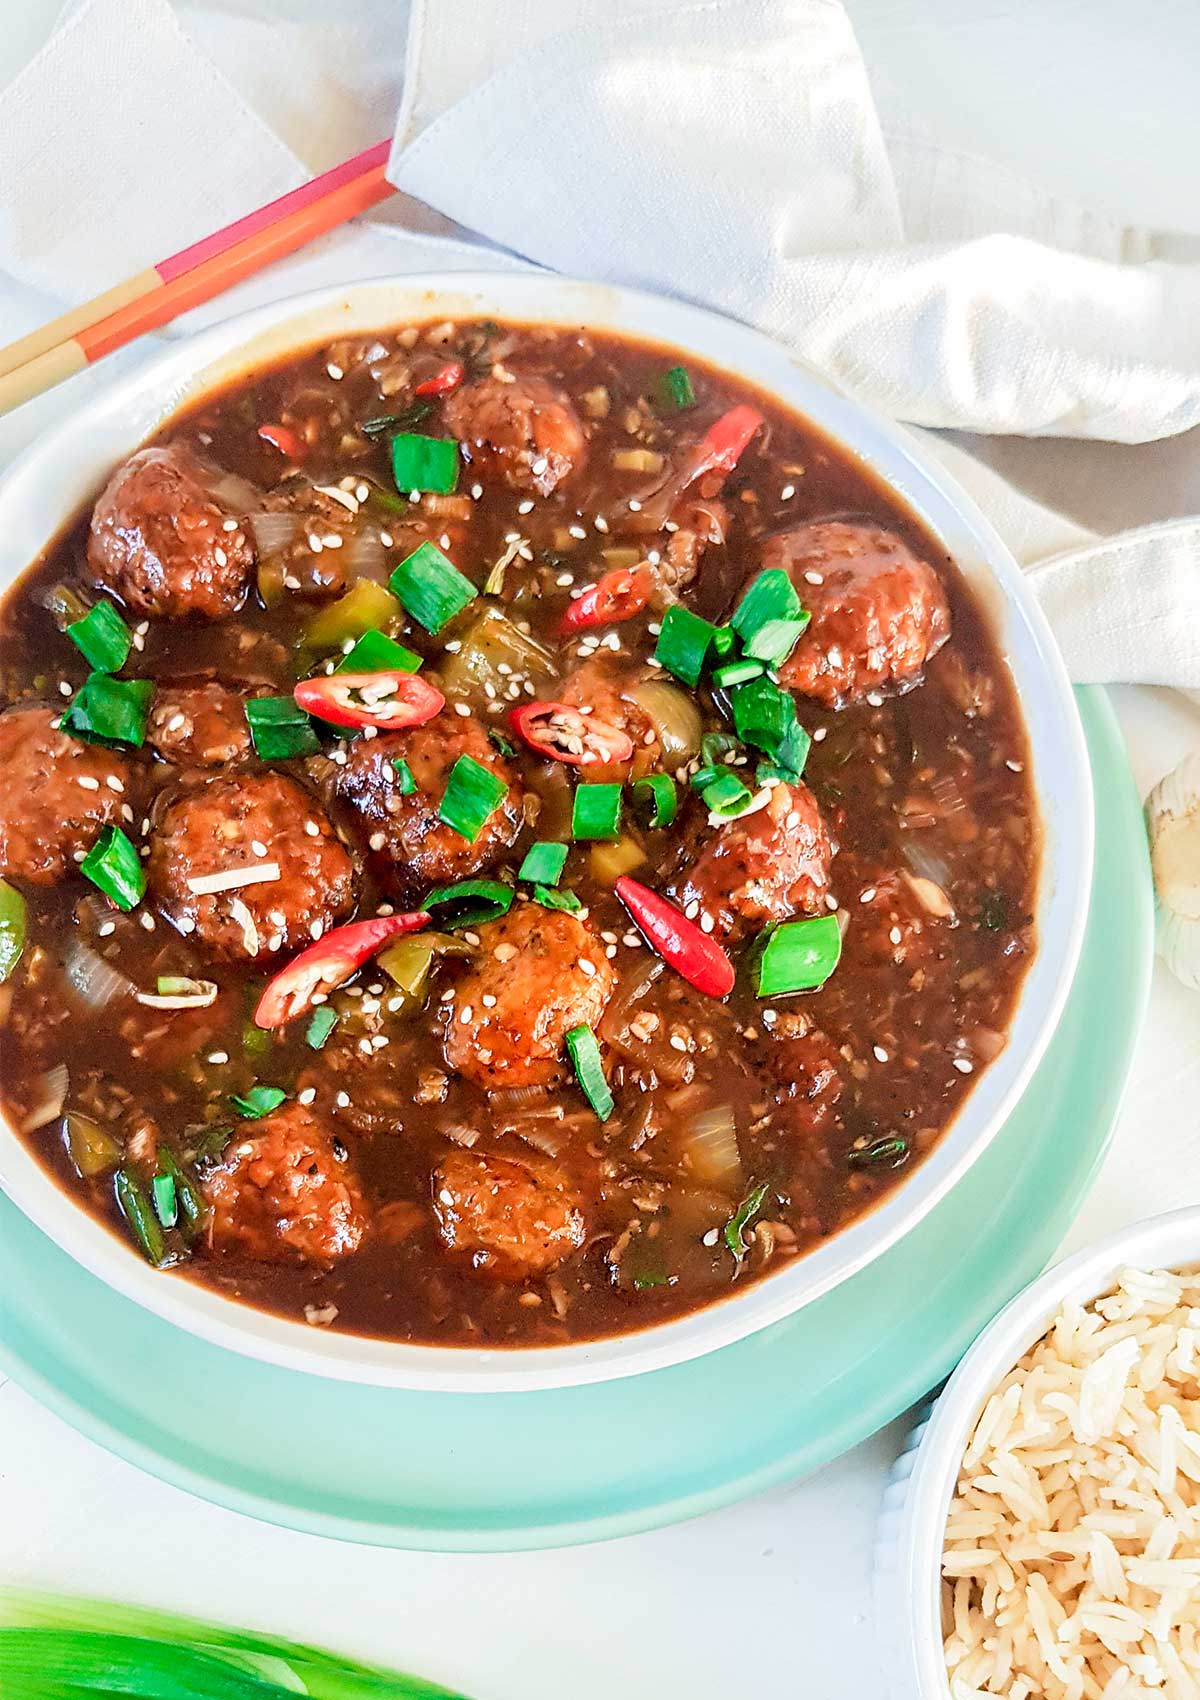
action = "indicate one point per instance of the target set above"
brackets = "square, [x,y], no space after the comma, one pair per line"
[912,1524]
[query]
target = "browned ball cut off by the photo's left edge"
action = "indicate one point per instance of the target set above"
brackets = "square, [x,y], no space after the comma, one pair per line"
[57,798]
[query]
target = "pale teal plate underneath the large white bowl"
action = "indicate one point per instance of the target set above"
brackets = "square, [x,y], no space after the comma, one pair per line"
[541,1470]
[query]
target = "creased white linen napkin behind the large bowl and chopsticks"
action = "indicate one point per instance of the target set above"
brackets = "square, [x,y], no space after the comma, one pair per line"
[728,152]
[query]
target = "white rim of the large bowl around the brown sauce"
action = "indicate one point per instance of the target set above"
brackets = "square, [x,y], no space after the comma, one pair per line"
[65,468]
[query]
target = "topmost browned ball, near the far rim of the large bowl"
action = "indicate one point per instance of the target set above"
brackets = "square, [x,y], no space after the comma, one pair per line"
[521,431]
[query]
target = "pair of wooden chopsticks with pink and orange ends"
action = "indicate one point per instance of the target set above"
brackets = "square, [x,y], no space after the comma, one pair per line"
[84,336]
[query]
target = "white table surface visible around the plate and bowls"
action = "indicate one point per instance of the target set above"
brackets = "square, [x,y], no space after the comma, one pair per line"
[778,1587]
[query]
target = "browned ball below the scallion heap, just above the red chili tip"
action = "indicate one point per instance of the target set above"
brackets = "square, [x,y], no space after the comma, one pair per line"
[762,868]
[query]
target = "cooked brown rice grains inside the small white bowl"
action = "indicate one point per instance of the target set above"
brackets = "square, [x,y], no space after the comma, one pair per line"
[1072,1563]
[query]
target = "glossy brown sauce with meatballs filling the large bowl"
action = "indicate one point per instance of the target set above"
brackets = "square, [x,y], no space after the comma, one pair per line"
[436,1172]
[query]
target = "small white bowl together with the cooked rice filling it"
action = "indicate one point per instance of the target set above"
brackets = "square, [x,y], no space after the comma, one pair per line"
[1041,1534]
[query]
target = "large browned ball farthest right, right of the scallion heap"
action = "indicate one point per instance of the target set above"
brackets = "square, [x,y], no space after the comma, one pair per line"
[880,613]
